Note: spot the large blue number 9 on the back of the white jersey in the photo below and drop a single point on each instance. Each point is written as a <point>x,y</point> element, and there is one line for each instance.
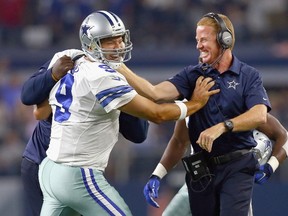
<point>64,98</point>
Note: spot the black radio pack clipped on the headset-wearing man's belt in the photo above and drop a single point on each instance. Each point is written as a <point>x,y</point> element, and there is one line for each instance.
<point>196,166</point>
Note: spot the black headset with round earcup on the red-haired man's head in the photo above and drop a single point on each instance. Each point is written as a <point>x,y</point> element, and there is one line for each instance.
<point>224,37</point>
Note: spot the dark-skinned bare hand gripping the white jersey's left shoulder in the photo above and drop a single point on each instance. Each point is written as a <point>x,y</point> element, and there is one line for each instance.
<point>62,66</point>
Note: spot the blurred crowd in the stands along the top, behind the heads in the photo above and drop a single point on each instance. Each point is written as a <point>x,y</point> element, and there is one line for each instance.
<point>55,22</point>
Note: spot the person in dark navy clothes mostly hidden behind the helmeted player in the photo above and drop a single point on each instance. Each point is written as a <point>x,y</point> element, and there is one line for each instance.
<point>34,91</point>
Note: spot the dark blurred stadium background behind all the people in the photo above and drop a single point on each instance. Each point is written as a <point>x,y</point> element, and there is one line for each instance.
<point>163,34</point>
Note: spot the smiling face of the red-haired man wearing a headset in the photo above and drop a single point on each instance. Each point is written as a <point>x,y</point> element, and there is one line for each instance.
<point>207,44</point>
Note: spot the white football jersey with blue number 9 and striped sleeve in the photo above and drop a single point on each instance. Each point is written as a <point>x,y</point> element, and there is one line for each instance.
<point>85,124</point>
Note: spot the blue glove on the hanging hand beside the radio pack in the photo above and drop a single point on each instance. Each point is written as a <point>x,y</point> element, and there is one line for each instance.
<point>151,190</point>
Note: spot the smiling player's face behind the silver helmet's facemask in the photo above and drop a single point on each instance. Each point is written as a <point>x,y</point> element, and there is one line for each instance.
<point>112,44</point>
